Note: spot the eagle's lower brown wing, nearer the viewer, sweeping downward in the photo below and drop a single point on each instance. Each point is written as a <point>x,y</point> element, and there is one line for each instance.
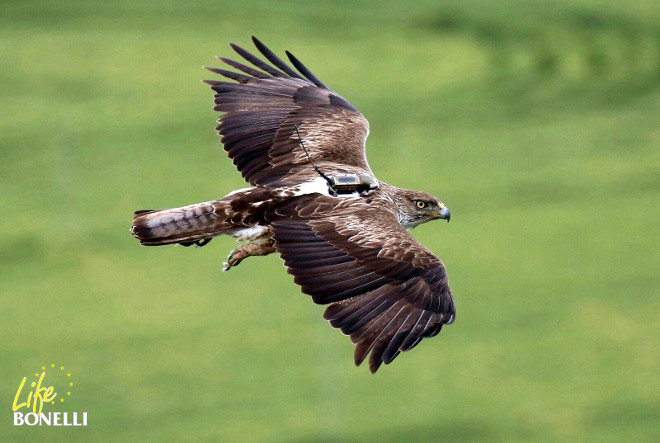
<point>386,290</point>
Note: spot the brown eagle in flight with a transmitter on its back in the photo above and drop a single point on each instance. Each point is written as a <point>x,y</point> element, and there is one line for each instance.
<point>313,198</point>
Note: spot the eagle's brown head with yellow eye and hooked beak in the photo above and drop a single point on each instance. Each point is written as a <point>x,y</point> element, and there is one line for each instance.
<point>417,207</point>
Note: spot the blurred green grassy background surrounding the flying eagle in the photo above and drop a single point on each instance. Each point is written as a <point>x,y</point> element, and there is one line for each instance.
<point>535,121</point>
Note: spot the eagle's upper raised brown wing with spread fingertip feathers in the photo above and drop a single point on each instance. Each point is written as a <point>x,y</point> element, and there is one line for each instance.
<point>263,110</point>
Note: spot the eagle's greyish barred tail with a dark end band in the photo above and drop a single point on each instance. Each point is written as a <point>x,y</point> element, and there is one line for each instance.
<point>193,224</point>
